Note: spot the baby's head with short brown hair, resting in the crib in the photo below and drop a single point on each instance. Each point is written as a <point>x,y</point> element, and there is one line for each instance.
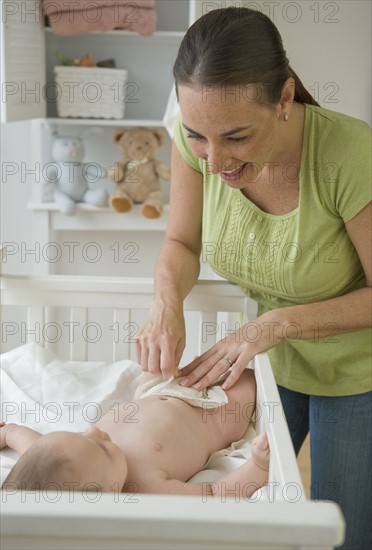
<point>68,461</point>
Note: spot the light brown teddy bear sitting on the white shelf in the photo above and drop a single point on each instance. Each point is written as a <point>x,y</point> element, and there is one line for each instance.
<point>137,177</point>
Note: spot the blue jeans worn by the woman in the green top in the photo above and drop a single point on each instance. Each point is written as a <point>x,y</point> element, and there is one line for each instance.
<point>340,447</point>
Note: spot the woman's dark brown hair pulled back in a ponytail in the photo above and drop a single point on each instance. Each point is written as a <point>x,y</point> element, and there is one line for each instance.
<point>237,47</point>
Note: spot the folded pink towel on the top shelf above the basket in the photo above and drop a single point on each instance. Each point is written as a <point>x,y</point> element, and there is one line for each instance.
<point>67,17</point>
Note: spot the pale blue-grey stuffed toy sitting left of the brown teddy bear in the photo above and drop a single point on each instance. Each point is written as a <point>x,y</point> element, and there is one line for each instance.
<point>68,178</point>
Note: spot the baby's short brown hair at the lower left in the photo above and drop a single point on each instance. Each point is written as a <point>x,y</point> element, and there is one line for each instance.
<point>39,470</point>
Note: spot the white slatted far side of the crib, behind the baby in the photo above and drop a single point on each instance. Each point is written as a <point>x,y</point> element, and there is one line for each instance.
<point>211,299</point>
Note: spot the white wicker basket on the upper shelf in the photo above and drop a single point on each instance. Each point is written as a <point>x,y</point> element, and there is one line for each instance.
<point>90,92</point>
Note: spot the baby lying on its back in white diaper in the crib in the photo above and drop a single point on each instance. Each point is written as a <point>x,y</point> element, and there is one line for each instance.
<point>153,444</point>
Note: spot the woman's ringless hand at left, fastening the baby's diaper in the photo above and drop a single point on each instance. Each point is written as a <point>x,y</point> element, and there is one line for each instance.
<point>161,340</point>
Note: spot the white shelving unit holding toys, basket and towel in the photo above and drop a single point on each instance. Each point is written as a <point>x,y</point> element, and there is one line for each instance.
<point>28,59</point>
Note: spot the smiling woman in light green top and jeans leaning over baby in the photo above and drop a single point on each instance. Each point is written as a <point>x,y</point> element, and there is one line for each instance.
<point>277,191</point>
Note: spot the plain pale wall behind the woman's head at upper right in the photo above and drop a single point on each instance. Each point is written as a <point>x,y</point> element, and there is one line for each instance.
<point>328,44</point>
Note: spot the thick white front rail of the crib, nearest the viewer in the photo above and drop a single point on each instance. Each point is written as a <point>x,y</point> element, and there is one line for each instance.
<point>166,522</point>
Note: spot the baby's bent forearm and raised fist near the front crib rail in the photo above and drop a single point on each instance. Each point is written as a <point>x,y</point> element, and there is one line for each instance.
<point>248,478</point>
